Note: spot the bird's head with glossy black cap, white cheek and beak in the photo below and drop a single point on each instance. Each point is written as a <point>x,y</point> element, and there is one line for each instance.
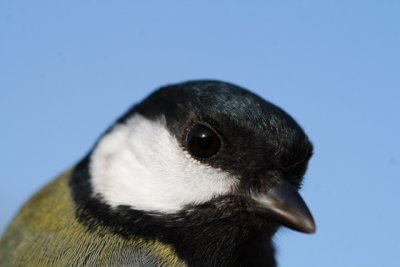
<point>206,149</point>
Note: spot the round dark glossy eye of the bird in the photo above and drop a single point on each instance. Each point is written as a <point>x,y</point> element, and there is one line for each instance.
<point>202,141</point>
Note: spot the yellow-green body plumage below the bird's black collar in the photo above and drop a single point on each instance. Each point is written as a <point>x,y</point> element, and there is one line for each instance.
<point>46,233</point>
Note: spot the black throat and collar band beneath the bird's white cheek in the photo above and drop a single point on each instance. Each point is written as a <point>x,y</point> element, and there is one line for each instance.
<point>212,234</point>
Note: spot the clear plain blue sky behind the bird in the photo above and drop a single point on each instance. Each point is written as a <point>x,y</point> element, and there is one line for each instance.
<point>68,69</point>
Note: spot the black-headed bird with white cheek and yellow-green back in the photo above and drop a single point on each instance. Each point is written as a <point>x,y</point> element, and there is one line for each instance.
<point>200,173</point>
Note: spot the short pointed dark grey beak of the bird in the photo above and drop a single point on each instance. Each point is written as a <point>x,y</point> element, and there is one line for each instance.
<point>284,204</point>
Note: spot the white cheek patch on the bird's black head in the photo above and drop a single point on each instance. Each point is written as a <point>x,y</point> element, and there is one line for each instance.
<point>140,164</point>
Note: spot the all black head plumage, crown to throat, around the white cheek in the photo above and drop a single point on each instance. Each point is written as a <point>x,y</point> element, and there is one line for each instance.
<point>229,128</point>
